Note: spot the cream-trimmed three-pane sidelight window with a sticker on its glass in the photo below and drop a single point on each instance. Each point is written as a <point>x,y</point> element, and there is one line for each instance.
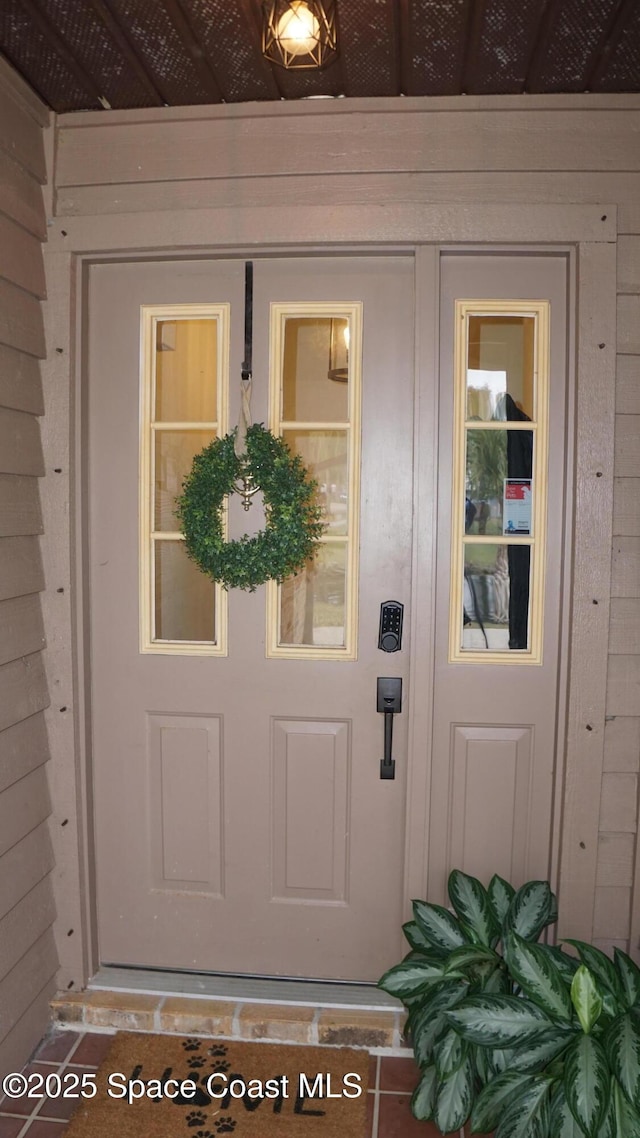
<point>499,516</point>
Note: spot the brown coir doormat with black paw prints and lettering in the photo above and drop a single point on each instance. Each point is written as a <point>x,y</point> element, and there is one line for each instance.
<point>176,1087</point>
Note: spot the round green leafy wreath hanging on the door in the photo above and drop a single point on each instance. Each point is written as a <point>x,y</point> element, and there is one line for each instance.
<point>293,516</point>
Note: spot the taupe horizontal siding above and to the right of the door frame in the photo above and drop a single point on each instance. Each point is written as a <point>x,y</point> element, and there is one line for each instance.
<point>128,180</point>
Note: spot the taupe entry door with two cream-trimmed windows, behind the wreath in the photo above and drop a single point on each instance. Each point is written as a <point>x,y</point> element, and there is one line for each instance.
<point>242,824</point>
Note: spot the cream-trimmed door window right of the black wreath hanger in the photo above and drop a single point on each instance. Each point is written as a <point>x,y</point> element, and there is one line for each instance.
<point>316,382</point>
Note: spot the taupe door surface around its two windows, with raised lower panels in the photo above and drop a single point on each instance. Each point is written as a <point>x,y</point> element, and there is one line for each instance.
<point>241,821</point>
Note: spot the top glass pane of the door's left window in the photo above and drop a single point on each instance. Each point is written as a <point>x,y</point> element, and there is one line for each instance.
<point>186,370</point>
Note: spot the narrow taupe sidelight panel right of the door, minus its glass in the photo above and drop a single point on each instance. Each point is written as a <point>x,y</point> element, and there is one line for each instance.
<point>496,727</point>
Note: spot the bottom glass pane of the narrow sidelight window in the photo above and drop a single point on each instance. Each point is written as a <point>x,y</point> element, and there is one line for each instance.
<point>496,597</point>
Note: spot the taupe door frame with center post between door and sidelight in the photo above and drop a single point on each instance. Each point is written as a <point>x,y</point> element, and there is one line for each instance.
<point>589,234</point>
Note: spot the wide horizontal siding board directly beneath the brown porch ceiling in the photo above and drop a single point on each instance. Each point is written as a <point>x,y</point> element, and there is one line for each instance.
<point>347,142</point>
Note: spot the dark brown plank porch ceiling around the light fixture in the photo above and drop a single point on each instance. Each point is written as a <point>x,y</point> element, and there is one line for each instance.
<point>85,55</point>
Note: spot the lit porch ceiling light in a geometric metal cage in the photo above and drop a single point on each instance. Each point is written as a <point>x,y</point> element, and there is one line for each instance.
<point>300,35</point>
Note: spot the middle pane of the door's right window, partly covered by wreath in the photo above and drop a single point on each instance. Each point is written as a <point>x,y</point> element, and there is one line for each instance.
<point>325,455</point>
